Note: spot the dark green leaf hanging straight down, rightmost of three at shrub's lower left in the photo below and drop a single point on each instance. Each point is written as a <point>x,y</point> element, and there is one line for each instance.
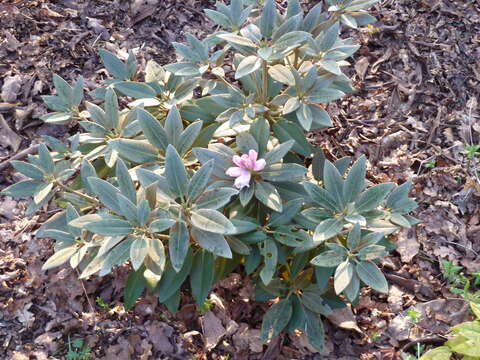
<point>201,276</point>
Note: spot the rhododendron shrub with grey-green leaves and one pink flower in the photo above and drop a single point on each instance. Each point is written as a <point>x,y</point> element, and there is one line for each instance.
<point>200,170</point>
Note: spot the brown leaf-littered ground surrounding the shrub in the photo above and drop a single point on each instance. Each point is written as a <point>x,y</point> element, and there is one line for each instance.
<point>417,76</point>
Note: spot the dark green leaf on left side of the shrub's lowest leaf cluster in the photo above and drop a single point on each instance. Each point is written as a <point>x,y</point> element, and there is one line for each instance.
<point>276,319</point>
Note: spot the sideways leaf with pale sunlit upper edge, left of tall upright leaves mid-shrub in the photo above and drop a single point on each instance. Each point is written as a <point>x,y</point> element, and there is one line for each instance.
<point>137,151</point>
